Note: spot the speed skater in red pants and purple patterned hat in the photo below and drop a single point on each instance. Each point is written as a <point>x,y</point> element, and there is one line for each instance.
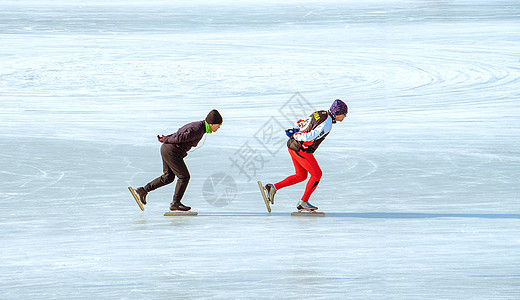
<point>303,141</point>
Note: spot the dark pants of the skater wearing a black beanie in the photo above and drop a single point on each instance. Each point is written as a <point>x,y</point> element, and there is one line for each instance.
<point>173,165</point>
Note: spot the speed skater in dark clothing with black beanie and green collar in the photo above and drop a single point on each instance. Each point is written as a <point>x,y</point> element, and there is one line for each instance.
<point>174,149</point>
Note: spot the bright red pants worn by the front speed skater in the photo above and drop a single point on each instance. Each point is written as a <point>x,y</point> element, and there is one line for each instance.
<point>304,163</point>
